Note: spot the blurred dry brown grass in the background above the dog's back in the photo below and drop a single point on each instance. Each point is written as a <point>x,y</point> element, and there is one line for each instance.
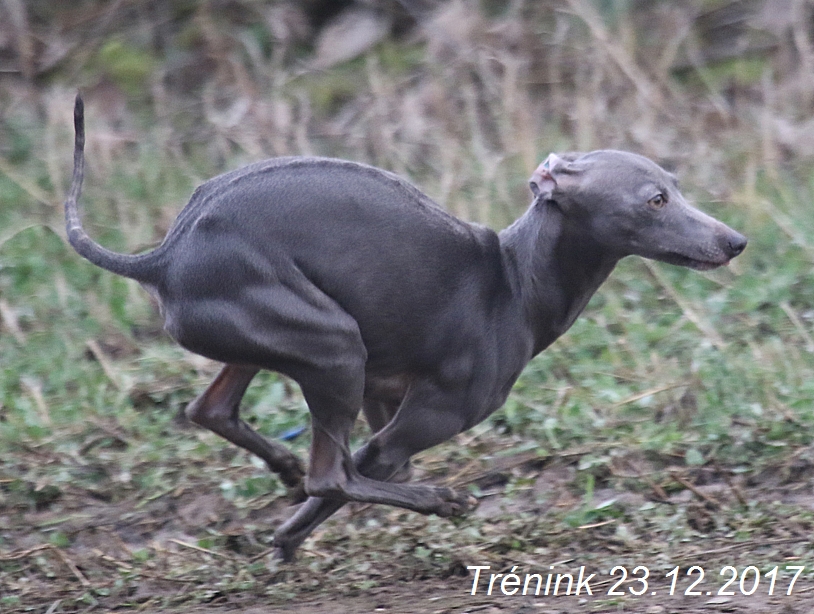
<point>464,101</point>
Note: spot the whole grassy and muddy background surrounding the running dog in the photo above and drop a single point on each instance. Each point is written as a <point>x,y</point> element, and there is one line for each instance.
<point>671,426</point>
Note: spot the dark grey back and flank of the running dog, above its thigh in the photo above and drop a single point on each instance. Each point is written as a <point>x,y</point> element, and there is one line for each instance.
<point>383,251</point>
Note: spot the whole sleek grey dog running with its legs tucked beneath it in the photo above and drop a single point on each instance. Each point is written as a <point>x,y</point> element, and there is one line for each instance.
<point>352,282</point>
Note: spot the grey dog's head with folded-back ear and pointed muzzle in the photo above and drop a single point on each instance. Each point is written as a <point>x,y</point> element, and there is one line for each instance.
<point>630,205</point>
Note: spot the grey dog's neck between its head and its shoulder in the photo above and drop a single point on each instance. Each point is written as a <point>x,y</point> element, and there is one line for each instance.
<point>555,267</point>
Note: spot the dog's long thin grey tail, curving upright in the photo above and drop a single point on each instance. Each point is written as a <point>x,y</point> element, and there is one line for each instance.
<point>141,267</point>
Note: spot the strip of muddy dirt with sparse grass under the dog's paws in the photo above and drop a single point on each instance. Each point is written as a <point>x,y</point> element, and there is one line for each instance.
<point>191,550</point>
